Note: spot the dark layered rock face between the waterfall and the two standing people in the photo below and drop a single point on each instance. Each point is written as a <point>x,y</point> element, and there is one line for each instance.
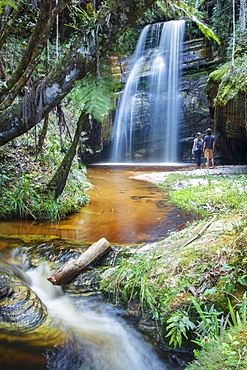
<point>199,59</point>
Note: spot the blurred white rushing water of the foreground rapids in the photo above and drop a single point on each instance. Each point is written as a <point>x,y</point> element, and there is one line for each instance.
<point>97,338</point>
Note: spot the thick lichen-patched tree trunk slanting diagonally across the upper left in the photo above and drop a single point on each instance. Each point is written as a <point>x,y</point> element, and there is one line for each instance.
<point>20,118</point>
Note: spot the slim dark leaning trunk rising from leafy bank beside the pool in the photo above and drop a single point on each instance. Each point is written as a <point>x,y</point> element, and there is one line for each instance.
<point>59,179</point>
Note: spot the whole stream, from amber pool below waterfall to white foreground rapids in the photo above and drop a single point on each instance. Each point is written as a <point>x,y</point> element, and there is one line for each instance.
<point>98,337</point>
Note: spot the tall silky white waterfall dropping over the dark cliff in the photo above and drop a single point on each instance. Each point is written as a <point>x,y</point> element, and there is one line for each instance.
<point>146,125</point>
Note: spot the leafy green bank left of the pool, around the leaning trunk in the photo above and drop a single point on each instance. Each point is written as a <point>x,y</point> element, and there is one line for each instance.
<point>24,178</point>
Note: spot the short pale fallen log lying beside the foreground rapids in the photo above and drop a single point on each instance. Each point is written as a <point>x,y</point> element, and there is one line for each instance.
<point>75,265</point>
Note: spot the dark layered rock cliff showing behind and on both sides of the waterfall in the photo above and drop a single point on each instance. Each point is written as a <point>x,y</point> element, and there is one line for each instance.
<point>199,60</point>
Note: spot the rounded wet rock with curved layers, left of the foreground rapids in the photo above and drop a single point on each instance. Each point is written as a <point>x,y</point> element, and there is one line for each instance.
<point>22,312</point>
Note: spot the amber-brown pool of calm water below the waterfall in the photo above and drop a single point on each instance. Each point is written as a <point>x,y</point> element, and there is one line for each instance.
<point>121,209</point>
